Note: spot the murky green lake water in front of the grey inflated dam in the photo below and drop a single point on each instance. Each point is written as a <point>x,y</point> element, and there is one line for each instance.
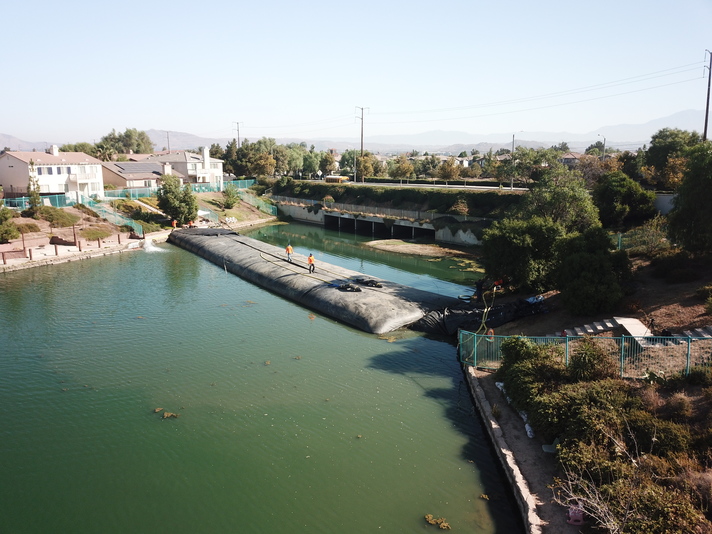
<point>289,422</point>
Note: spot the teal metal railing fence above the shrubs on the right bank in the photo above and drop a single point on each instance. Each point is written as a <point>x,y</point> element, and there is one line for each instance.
<point>637,356</point>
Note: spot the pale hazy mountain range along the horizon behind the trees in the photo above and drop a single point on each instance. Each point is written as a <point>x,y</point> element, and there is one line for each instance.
<point>622,136</point>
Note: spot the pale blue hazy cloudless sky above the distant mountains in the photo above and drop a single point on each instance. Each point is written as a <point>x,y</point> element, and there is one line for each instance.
<point>74,70</point>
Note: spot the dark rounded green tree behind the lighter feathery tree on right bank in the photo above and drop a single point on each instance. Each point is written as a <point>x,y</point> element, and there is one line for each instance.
<point>621,201</point>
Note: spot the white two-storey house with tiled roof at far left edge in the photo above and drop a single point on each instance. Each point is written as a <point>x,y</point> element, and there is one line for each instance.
<point>56,172</point>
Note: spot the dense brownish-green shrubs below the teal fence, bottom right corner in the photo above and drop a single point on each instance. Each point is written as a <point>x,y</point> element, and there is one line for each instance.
<point>635,456</point>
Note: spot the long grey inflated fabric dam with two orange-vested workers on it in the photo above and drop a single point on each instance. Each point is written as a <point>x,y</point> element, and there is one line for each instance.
<point>330,290</point>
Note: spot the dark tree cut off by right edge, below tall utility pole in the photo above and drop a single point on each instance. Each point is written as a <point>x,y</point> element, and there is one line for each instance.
<point>691,217</point>
